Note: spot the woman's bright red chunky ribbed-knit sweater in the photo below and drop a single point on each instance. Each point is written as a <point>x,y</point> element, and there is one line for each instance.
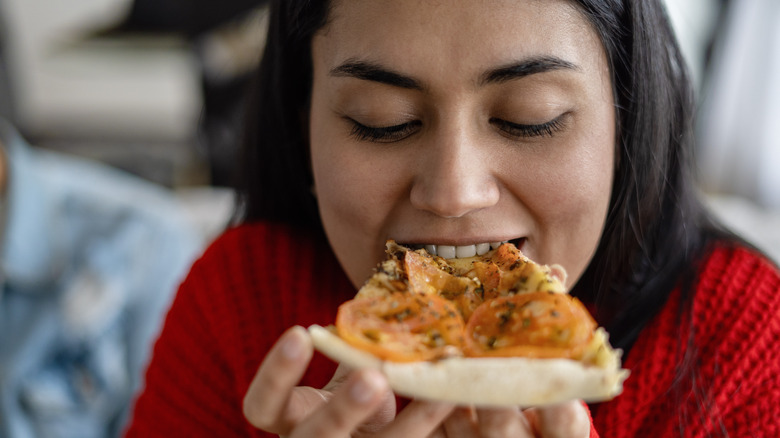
<point>256,281</point>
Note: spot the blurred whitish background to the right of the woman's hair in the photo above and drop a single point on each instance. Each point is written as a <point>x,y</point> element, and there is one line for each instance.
<point>733,51</point>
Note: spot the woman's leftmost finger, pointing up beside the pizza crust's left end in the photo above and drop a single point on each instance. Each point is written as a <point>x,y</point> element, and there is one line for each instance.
<point>267,399</point>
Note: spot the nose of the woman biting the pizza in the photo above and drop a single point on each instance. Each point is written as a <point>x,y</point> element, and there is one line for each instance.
<point>454,177</point>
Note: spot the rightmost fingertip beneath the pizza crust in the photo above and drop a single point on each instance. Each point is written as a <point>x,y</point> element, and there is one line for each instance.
<point>565,420</point>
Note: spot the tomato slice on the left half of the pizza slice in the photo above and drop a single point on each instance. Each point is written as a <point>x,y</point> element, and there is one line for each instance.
<point>402,326</point>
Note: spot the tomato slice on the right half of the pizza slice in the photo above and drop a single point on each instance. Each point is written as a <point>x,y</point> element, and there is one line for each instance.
<point>536,324</point>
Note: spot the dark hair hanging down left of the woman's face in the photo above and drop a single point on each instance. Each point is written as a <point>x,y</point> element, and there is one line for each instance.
<point>274,177</point>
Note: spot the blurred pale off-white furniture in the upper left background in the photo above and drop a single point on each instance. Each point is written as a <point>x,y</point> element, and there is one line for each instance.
<point>66,85</point>
